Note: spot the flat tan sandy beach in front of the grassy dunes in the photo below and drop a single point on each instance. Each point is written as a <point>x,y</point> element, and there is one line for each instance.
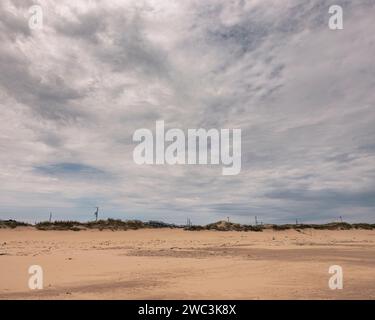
<point>177,264</point>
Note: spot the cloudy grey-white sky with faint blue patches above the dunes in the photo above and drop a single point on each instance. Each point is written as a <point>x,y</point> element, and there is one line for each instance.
<point>73,93</point>
